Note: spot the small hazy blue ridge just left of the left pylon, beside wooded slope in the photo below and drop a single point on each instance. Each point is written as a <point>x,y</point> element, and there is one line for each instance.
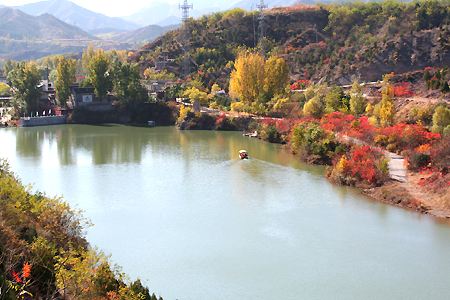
<point>143,35</point>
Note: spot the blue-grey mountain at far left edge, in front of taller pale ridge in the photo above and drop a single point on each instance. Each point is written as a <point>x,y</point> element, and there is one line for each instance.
<point>15,24</point>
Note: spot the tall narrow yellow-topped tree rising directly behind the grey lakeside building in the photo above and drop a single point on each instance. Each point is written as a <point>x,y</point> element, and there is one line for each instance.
<point>98,73</point>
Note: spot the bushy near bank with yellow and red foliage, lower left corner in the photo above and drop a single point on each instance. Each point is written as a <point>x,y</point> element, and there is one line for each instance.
<point>45,254</point>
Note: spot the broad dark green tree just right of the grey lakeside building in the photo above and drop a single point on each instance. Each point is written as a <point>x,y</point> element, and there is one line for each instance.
<point>127,83</point>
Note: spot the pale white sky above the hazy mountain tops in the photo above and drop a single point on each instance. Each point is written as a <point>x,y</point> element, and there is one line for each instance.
<point>109,8</point>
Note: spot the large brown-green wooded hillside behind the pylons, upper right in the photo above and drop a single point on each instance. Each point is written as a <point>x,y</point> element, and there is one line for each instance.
<point>328,43</point>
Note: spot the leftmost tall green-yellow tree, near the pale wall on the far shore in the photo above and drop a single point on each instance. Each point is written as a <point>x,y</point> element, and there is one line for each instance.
<point>25,78</point>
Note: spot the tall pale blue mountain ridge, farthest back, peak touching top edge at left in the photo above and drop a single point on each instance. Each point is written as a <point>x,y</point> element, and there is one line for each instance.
<point>71,13</point>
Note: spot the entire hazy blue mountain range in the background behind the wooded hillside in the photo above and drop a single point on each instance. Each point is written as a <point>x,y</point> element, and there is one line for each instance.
<point>58,26</point>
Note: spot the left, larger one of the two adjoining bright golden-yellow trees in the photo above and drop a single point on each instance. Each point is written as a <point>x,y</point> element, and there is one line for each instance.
<point>247,80</point>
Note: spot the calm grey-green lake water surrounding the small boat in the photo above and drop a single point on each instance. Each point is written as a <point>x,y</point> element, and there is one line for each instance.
<point>180,211</point>
